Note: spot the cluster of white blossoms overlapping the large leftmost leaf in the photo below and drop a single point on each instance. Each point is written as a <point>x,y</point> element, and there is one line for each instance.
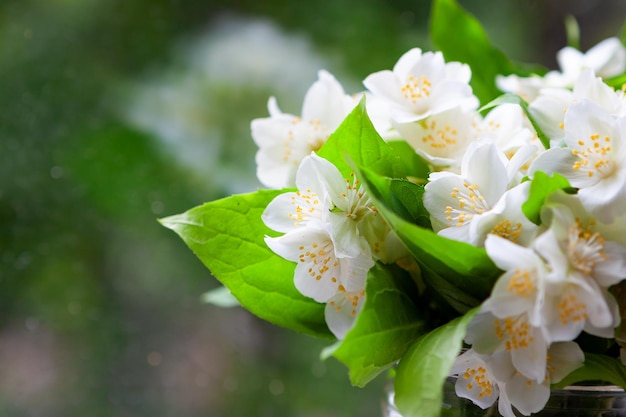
<point>334,234</point>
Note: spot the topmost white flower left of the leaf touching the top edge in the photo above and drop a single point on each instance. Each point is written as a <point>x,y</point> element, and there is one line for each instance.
<point>422,84</point>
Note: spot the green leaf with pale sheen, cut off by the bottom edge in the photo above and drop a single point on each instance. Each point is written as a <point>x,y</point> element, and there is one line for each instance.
<point>425,367</point>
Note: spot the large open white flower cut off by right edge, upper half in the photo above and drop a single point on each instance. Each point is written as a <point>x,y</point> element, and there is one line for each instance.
<point>593,160</point>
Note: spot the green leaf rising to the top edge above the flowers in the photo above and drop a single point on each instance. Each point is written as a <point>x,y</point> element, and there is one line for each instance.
<point>460,37</point>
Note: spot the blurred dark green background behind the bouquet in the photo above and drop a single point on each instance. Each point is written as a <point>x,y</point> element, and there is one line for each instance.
<point>114,113</point>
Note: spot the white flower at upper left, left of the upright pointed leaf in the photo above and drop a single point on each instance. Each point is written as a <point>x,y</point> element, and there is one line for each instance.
<point>284,139</point>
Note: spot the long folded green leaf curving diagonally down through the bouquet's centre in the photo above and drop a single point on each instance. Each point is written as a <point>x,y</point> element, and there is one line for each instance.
<point>463,274</point>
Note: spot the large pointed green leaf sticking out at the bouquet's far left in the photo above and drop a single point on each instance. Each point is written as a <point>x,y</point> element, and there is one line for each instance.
<point>227,236</point>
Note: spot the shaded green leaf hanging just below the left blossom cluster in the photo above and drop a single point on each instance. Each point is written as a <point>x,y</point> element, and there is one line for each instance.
<point>388,323</point>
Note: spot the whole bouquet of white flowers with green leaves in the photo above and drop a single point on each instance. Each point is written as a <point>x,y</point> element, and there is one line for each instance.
<point>462,216</point>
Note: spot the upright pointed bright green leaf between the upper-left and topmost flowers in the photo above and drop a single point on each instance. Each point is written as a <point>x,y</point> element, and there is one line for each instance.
<point>357,143</point>
